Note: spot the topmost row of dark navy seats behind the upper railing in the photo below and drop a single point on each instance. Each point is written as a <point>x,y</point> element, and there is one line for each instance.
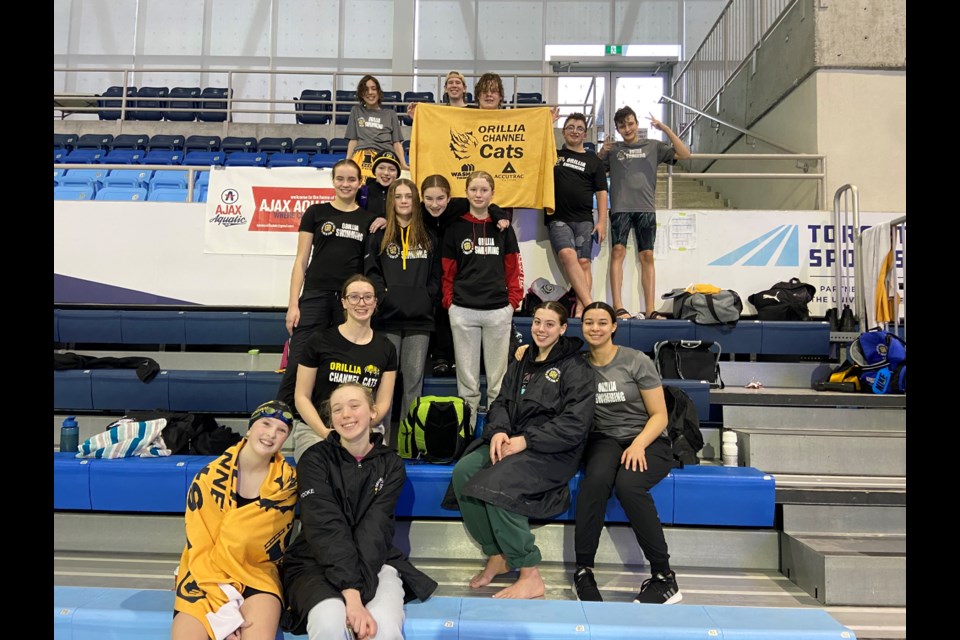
<point>313,106</point>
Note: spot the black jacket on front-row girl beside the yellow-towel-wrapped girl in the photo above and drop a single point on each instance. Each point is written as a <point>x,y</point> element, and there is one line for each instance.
<point>347,526</point>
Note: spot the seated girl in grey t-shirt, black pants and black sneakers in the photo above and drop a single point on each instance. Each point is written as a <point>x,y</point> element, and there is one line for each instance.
<point>630,449</point>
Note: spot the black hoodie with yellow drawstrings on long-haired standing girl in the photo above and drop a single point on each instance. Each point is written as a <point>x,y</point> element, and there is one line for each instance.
<point>406,293</point>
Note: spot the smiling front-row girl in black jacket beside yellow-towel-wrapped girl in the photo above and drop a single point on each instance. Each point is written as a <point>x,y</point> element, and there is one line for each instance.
<point>343,575</point>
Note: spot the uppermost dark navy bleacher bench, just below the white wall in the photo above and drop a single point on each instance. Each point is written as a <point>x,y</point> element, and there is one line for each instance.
<point>267,328</point>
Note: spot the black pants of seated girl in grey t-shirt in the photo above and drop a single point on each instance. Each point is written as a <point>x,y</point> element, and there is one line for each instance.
<point>603,472</point>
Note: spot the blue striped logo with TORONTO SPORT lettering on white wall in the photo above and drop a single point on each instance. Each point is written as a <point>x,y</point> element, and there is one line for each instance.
<point>780,247</point>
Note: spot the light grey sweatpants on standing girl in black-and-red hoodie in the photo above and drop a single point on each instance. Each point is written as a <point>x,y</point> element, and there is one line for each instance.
<point>473,330</point>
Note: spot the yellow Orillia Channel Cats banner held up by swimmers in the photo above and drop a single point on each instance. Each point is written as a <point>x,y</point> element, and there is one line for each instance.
<point>515,146</point>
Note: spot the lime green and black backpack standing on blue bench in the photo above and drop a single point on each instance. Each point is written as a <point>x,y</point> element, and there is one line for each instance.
<point>436,429</point>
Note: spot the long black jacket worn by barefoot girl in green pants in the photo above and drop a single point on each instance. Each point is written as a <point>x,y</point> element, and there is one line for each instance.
<point>554,414</point>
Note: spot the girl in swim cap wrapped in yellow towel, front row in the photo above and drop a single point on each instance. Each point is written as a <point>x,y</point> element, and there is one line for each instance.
<point>239,518</point>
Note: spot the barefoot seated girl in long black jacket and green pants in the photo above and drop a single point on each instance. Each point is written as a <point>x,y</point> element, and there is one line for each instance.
<point>520,466</point>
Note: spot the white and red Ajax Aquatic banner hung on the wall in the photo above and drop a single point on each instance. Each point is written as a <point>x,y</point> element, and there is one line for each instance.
<point>252,210</point>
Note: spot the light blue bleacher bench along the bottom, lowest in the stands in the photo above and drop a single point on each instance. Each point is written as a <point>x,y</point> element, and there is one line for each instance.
<point>94,613</point>
